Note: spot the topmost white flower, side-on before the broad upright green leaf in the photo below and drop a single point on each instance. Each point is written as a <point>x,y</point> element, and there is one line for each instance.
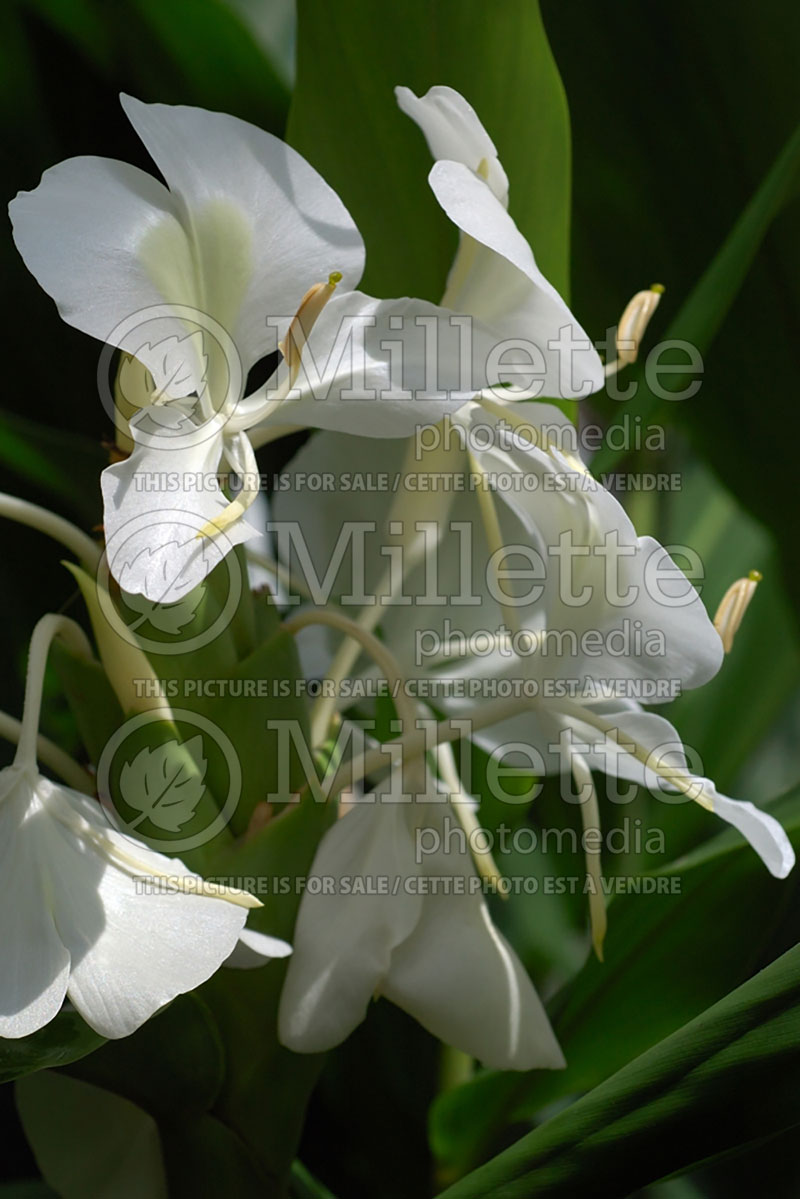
<point>495,276</point>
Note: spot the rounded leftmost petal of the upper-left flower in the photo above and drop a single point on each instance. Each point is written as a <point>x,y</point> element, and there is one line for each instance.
<point>81,234</point>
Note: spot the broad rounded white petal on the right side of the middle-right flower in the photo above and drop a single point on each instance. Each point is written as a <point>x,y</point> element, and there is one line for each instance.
<point>652,623</point>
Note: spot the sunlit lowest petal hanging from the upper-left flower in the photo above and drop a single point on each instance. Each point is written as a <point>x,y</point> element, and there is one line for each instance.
<point>158,502</point>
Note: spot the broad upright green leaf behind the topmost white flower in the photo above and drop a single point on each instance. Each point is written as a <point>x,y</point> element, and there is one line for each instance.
<point>345,120</point>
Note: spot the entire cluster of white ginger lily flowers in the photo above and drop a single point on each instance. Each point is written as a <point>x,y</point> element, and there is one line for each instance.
<point>245,258</point>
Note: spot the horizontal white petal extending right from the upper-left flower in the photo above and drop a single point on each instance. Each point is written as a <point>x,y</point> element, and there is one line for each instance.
<point>352,382</point>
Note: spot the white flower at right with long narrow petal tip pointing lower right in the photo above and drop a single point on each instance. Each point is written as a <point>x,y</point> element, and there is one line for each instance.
<point>615,618</point>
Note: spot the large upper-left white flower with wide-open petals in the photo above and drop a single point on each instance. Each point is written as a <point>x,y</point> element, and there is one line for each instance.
<point>191,280</point>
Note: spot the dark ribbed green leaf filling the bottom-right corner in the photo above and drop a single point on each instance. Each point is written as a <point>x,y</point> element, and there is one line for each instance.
<point>725,1081</point>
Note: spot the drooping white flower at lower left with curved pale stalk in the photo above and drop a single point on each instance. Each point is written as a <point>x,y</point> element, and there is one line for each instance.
<point>94,917</point>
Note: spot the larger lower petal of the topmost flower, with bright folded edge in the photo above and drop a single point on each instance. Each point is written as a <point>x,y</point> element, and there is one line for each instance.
<point>506,290</point>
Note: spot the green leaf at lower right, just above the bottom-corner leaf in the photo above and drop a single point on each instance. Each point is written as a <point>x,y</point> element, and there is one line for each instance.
<point>663,967</point>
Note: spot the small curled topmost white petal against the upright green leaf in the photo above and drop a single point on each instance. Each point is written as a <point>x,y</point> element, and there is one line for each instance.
<point>454,130</point>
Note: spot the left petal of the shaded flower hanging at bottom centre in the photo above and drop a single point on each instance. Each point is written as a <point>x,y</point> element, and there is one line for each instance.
<point>344,943</point>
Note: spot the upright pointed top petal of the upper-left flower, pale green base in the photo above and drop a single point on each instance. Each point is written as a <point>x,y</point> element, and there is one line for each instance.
<point>266,225</point>
